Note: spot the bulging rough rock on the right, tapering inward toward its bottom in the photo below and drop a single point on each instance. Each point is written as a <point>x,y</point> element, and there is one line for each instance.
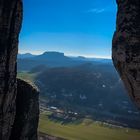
<point>126,46</point>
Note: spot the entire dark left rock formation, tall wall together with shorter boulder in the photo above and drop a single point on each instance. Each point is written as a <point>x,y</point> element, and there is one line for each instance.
<point>19,109</point>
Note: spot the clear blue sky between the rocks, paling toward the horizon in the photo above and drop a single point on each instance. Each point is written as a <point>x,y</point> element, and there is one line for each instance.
<point>75,27</point>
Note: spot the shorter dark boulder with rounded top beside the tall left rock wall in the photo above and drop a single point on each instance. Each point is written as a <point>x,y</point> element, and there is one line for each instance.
<point>27,112</point>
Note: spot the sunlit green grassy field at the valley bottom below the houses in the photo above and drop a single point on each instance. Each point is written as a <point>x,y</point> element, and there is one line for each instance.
<point>85,131</point>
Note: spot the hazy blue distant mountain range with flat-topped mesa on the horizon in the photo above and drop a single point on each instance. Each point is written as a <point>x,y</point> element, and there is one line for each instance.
<point>53,59</point>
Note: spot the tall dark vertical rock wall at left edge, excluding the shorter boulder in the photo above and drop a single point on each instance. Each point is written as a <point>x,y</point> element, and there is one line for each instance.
<point>10,24</point>
